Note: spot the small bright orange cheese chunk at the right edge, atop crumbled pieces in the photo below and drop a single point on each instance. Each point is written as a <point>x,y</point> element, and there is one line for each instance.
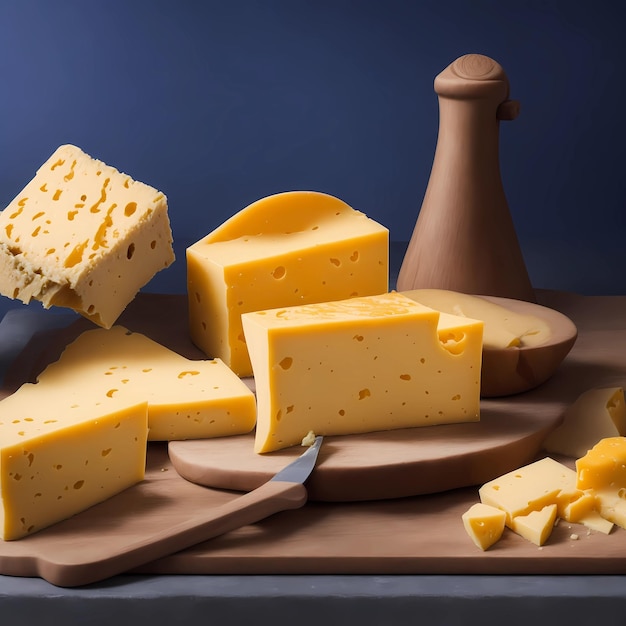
<point>603,467</point>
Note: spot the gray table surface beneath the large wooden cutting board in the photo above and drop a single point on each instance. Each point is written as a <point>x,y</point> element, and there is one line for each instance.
<point>302,599</point>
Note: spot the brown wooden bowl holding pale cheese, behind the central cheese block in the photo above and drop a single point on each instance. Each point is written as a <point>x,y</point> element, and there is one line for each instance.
<point>509,371</point>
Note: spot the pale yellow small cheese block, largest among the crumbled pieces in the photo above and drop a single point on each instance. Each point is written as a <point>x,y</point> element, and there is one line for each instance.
<point>531,488</point>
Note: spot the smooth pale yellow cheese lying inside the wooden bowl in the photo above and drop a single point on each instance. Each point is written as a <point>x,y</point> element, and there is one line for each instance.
<point>503,328</point>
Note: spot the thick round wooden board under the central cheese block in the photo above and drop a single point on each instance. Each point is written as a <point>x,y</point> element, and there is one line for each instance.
<point>389,464</point>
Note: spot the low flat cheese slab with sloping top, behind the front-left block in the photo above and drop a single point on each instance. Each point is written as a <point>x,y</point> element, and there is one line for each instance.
<point>187,399</point>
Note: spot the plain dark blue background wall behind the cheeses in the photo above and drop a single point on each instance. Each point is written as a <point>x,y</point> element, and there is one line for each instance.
<point>221,103</point>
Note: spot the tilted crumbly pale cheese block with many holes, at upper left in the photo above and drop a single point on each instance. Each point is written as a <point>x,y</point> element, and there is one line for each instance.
<point>83,235</point>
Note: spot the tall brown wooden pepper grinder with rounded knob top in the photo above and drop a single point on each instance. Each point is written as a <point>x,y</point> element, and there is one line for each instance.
<point>464,238</point>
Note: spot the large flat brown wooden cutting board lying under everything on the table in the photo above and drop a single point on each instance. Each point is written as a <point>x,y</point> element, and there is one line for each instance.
<point>417,534</point>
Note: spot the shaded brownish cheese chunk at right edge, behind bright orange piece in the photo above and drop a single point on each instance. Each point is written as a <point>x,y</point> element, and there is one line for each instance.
<point>596,414</point>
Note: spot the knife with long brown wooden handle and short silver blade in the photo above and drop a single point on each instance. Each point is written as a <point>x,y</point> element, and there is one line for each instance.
<point>286,490</point>
